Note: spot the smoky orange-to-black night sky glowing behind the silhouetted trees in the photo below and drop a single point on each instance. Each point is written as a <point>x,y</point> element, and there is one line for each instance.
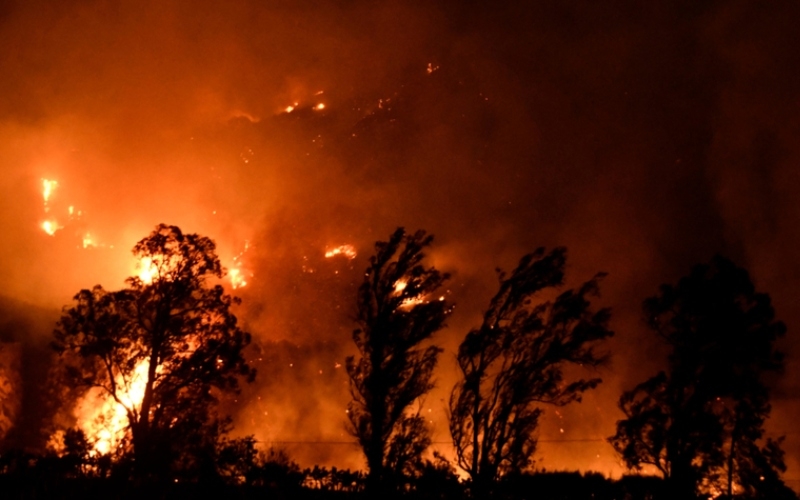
<point>643,136</point>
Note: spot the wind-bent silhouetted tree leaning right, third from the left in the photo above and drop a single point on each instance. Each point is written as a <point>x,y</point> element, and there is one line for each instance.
<point>514,364</point>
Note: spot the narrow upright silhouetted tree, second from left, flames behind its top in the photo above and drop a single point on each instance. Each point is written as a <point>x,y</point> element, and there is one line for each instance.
<point>396,313</point>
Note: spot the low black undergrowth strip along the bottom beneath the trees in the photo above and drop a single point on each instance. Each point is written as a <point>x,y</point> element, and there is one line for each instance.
<point>24,476</point>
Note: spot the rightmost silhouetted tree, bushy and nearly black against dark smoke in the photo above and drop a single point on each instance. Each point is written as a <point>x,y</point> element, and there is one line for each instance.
<point>701,422</point>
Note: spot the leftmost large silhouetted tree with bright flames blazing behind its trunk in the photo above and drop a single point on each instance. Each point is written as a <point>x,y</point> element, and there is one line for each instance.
<point>163,348</point>
